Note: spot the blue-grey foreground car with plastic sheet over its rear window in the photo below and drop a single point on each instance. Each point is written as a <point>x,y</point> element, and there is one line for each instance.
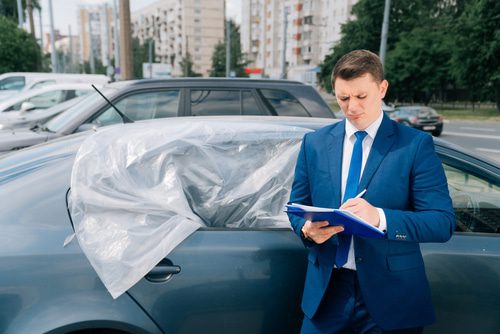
<point>251,284</point>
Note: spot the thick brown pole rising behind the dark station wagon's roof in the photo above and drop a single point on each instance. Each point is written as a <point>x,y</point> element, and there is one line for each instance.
<point>125,41</point>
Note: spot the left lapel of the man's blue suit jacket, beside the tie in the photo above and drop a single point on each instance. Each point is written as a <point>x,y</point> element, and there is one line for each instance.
<point>335,145</point>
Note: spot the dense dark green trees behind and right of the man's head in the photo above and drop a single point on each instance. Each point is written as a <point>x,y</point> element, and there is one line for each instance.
<point>433,47</point>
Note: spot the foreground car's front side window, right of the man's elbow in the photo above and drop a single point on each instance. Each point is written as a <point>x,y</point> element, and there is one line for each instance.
<point>476,201</point>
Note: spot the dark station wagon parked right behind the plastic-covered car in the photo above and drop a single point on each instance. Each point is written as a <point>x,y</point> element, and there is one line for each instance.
<point>146,99</point>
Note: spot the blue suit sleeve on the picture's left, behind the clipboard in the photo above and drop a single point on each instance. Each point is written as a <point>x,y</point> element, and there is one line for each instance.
<point>300,190</point>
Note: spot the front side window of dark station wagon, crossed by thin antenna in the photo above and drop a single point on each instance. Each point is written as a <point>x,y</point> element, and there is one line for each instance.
<point>142,106</point>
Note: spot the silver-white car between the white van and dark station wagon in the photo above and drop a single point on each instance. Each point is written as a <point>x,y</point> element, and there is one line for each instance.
<point>44,97</point>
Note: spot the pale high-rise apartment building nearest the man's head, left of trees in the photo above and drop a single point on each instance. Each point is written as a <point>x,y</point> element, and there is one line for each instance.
<point>310,28</point>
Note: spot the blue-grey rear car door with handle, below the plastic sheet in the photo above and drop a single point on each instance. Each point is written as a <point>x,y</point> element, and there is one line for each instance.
<point>228,280</point>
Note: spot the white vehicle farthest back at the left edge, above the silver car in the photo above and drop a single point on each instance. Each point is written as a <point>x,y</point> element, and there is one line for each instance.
<point>13,83</point>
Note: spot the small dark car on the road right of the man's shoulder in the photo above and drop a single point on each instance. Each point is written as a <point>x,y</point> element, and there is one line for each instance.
<point>419,117</point>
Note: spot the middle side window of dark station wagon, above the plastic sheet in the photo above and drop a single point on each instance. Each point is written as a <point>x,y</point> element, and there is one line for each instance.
<point>207,102</point>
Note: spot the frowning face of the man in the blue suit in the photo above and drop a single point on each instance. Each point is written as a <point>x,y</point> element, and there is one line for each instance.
<point>360,99</point>
